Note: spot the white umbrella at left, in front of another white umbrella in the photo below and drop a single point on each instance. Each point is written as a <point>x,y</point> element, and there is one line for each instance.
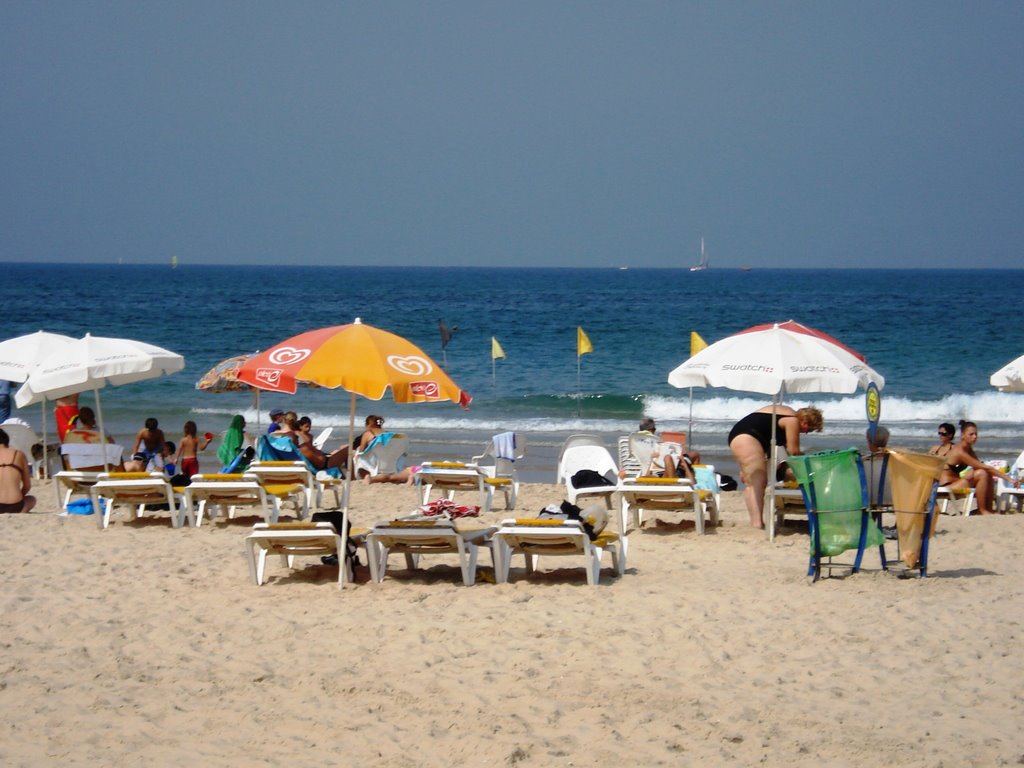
<point>92,364</point>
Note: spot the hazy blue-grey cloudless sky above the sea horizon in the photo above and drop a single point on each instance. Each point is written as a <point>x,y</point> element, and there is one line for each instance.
<point>514,134</point>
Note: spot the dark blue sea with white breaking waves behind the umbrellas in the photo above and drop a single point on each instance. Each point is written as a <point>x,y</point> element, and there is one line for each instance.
<point>936,336</point>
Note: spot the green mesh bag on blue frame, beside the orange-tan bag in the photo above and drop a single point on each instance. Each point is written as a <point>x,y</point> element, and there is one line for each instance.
<point>835,489</point>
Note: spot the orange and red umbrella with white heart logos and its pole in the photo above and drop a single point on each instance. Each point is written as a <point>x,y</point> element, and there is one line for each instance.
<point>360,359</point>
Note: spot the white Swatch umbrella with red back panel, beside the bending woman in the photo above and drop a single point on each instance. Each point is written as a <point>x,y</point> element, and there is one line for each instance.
<point>774,360</point>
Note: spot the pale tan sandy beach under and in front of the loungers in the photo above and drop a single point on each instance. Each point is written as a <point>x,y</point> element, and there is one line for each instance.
<point>147,646</point>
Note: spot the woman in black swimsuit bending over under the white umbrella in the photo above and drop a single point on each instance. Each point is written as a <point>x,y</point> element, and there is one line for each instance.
<point>750,443</point>
